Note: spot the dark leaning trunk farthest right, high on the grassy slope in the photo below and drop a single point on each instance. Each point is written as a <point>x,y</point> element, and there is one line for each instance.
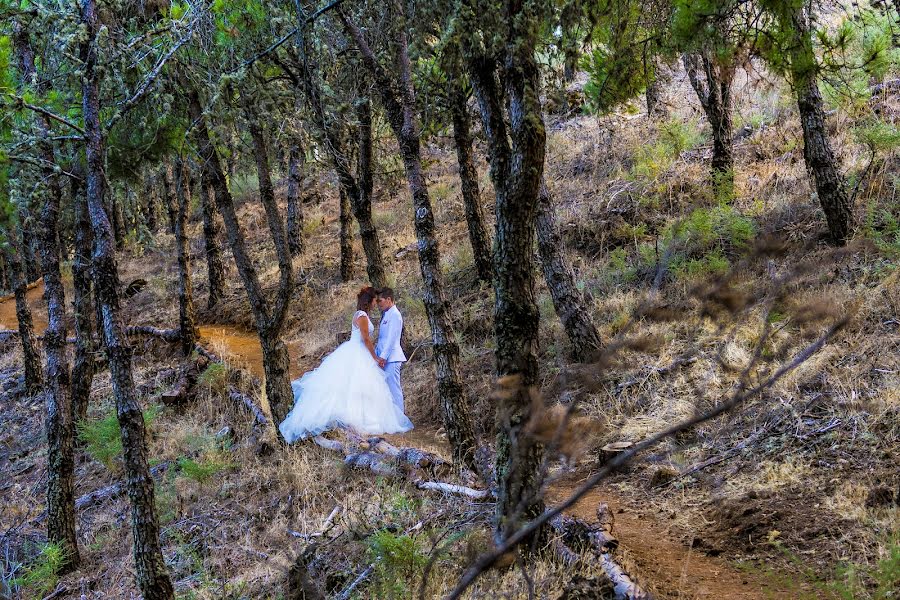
<point>817,152</point>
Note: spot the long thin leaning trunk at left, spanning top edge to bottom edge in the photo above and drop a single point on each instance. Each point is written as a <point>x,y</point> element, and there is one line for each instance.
<point>150,567</point>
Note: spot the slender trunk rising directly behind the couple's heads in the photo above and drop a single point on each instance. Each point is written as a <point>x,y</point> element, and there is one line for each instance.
<point>362,203</point>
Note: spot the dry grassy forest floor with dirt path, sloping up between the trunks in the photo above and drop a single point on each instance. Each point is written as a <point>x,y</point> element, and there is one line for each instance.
<point>795,494</point>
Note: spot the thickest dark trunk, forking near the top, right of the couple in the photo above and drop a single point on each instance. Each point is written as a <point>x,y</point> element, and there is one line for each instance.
<point>516,171</point>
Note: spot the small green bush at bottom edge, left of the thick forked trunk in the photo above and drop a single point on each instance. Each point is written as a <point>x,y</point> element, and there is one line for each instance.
<point>398,559</point>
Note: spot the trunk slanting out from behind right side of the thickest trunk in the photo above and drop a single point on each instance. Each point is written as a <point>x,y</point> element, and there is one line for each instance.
<point>569,302</point>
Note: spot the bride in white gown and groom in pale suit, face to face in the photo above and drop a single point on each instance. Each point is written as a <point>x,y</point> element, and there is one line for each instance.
<point>358,385</point>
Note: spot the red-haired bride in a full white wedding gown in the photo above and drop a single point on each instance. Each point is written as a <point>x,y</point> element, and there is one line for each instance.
<point>348,389</point>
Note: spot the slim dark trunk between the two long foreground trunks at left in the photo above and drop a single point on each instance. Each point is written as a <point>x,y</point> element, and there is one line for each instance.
<point>83,369</point>
